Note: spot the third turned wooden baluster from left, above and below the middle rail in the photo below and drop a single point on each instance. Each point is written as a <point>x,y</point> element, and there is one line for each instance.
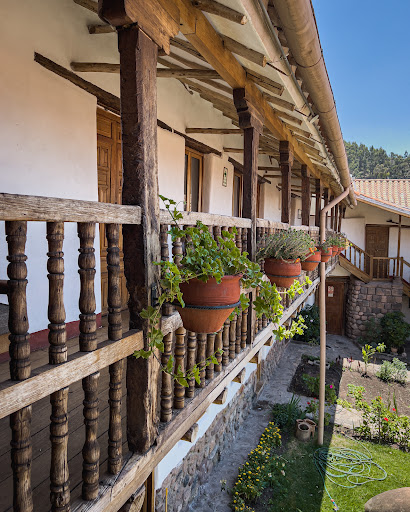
<point>88,343</point>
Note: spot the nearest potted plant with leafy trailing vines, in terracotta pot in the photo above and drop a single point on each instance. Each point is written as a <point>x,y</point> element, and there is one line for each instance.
<point>208,281</point>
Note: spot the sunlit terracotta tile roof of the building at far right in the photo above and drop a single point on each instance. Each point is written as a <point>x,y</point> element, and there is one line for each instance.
<point>395,193</point>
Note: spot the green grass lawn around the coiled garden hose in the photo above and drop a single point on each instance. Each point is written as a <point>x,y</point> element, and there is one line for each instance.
<point>305,492</point>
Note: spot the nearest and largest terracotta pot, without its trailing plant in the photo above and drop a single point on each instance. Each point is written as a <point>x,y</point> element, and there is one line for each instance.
<point>208,305</point>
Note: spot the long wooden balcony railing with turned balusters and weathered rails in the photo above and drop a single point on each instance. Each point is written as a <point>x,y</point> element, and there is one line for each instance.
<point>94,372</point>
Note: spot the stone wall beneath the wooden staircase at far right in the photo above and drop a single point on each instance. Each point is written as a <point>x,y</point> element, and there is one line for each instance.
<point>370,300</point>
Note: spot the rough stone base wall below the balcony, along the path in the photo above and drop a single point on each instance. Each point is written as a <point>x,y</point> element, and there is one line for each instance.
<point>184,480</point>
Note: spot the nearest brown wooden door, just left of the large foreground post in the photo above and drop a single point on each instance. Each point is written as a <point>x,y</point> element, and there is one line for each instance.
<point>109,163</point>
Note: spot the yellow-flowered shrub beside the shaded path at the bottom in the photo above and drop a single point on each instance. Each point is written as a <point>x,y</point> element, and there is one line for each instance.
<point>262,469</point>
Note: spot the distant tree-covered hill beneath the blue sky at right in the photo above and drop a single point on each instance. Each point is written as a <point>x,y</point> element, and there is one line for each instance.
<point>373,162</point>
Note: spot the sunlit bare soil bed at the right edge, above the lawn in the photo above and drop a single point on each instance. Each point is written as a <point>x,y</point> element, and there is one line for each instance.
<point>375,387</point>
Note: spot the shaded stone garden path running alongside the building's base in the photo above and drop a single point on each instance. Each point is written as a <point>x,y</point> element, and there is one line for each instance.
<point>210,497</point>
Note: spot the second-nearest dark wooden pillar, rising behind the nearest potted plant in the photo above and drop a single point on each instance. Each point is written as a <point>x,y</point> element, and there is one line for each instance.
<point>251,122</point>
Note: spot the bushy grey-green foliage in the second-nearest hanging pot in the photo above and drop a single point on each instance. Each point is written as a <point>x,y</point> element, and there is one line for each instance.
<point>290,244</point>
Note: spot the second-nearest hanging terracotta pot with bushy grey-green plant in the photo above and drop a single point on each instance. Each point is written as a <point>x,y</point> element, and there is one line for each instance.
<point>282,253</point>
